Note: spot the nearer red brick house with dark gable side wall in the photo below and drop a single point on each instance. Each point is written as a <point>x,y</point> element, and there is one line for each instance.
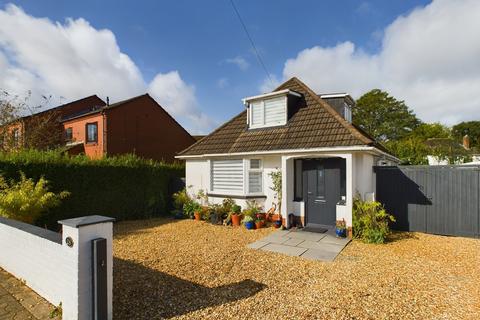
<point>138,125</point>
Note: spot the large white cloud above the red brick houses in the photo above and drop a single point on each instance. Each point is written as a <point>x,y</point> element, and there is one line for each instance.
<point>74,59</point>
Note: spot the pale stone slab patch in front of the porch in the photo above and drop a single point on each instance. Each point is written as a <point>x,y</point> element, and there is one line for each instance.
<point>309,245</point>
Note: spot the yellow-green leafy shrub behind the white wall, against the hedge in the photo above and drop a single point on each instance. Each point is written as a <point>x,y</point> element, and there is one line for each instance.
<point>25,200</point>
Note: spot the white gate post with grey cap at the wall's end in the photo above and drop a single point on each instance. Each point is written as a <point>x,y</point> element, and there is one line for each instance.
<point>80,236</point>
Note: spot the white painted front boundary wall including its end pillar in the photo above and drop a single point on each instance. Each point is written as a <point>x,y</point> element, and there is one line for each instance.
<point>55,271</point>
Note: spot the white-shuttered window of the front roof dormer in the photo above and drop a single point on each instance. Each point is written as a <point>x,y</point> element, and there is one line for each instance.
<point>268,112</point>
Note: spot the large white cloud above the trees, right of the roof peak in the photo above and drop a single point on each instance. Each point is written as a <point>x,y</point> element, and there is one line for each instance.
<point>429,58</point>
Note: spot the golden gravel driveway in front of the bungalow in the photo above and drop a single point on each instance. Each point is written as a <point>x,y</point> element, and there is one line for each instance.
<point>193,270</point>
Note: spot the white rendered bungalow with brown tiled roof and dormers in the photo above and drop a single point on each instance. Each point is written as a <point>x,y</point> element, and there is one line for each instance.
<point>325,160</point>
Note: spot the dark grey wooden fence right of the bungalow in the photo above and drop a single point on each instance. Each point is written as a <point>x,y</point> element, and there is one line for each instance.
<point>432,199</point>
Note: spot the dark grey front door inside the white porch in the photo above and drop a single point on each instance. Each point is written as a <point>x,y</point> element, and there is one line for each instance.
<point>324,181</point>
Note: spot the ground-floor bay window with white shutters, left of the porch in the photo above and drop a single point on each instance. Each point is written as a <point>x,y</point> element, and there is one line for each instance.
<point>236,176</point>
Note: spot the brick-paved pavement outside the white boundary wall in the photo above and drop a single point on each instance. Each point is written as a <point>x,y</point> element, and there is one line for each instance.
<point>17,301</point>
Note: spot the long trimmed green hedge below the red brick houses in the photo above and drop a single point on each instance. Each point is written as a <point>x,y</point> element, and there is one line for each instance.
<point>124,187</point>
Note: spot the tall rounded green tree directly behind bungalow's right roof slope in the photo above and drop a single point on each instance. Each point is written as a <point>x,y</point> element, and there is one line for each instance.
<point>383,116</point>
